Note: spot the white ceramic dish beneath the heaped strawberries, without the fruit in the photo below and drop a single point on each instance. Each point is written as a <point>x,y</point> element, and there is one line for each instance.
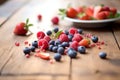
<point>92,23</point>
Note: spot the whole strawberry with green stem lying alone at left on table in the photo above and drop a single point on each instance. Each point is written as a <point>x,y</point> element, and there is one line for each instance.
<point>22,28</point>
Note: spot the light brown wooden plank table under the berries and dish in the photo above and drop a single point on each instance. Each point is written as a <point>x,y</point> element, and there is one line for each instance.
<point>14,65</point>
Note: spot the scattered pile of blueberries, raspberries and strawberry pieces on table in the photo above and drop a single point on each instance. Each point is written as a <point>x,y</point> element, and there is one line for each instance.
<point>62,42</point>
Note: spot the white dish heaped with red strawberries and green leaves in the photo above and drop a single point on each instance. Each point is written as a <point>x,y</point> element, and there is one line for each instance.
<point>91,16</point>
